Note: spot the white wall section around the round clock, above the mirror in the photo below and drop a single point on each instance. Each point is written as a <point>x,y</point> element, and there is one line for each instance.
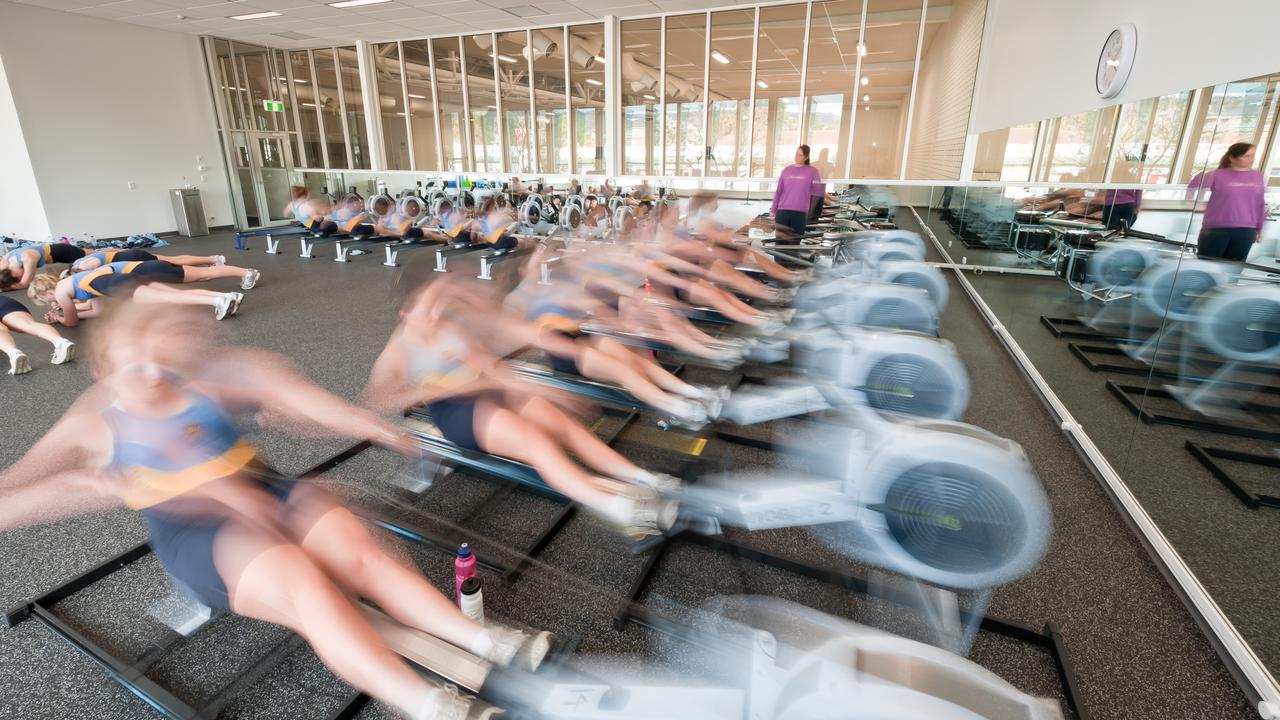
<point>1039,57</point>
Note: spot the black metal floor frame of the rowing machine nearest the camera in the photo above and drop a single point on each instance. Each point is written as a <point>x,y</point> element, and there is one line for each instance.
<point>131,675</point>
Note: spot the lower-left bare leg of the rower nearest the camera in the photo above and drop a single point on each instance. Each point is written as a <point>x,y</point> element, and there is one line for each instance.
<point>273,580</point>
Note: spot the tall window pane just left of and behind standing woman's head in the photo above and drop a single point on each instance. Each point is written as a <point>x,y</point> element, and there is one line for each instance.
<point>776,130</point>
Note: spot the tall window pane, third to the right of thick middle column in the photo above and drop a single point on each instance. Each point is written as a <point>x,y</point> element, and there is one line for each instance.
<point>730,112</point>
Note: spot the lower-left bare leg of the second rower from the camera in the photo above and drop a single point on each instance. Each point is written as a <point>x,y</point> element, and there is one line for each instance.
<point>506,434</point>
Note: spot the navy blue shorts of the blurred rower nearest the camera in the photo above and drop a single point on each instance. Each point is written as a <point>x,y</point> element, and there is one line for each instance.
<point>185,546</point>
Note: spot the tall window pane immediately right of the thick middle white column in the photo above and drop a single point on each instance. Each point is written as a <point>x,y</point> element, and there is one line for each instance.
<point>642,67</point>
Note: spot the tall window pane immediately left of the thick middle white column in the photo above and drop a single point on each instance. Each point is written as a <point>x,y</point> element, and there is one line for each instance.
<point>587,97</point>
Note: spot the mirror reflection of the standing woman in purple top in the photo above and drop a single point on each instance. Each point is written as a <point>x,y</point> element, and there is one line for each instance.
<point>1237,207</point>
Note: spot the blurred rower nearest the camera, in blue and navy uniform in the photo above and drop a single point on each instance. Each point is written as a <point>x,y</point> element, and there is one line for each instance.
<point>159,434</point>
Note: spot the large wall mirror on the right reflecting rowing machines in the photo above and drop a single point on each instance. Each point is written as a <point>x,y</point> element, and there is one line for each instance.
<point>1151,306</point>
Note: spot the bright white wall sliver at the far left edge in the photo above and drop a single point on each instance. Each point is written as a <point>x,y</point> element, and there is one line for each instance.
<point>22,216</point>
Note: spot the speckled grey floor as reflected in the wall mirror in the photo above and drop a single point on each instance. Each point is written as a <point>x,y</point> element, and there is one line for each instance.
<point>1228,546</point>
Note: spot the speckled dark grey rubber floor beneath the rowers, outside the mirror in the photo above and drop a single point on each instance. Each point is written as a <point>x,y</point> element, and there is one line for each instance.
<point>1136,651</point>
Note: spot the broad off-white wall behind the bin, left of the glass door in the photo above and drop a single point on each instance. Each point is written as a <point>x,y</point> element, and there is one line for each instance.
<point>103,104</point>
